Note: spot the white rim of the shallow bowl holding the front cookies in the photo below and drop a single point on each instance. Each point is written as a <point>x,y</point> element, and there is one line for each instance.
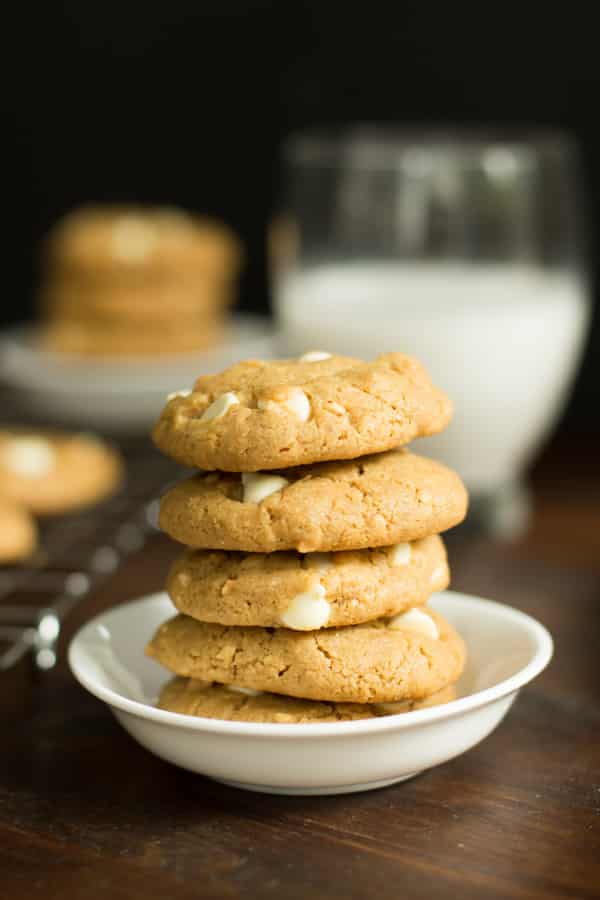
<point>540,659</point>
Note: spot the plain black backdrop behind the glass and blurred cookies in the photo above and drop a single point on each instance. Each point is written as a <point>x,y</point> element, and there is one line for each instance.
<point>186,103</point>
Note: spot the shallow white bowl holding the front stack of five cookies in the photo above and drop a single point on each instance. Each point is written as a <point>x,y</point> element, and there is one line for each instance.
<point>506,649</point>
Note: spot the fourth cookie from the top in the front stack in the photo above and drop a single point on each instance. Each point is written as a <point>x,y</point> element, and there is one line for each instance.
<point>407,657</point>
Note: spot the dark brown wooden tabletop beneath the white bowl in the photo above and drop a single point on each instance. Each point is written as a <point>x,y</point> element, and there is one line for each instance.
<point>86,813</point>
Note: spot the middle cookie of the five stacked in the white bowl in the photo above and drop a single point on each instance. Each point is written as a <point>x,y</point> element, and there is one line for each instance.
<point>303,593</point>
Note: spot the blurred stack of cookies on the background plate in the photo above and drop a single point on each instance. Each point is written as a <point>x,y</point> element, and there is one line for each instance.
<point>136,281</point>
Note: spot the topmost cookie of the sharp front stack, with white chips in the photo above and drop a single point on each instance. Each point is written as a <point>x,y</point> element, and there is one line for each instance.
<point>273,415</point>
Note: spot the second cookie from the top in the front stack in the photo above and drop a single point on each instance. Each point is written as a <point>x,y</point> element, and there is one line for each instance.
<point>376,501</point>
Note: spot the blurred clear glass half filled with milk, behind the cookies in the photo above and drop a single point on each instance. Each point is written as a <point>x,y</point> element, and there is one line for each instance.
<point>462,250</point>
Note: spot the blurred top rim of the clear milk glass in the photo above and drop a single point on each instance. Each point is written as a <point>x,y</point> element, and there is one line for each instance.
<point>382,145</point>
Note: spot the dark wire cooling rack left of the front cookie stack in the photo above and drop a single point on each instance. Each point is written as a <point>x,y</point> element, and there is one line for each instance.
<point>77,553</point>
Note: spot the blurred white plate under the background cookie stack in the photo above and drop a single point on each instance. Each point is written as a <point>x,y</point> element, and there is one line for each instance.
<point>120,393</point>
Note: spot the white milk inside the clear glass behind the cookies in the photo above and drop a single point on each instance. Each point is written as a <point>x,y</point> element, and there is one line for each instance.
<point>502,340</point>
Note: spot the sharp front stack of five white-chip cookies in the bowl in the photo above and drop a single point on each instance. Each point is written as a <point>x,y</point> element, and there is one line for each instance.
<point>313,543</point>
